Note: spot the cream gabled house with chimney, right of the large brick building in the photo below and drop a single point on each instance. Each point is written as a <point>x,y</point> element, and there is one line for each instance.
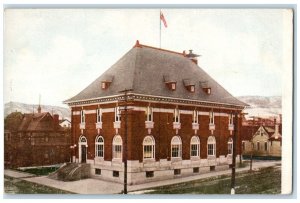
<point>262,141</point>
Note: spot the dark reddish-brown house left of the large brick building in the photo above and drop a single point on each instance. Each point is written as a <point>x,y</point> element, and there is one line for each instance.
<point>34,139</point>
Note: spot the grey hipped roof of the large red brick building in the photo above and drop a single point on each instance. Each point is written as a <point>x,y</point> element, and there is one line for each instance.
<point>144,69</point>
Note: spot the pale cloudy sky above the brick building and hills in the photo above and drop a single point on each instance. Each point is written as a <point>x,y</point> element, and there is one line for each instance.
<point>56,53</point>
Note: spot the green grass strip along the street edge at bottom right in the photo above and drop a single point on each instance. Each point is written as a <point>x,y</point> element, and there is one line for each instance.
<point>263,181</point>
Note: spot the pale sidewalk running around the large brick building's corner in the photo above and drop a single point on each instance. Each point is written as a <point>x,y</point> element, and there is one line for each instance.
<point>96,186</point>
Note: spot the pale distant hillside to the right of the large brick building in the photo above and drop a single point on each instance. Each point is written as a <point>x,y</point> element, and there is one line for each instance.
<point>262,106</point>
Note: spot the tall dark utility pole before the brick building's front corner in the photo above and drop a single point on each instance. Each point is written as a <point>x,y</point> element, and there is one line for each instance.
<point>125,141</point>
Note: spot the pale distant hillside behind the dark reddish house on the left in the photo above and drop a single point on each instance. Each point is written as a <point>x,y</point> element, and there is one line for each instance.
<point>28,108</point>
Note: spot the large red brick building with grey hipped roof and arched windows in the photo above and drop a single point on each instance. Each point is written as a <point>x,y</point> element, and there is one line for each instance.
<point>178,120</point>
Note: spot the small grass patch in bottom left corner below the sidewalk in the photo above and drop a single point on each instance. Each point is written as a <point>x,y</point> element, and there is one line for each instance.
<point>18,186</point>
